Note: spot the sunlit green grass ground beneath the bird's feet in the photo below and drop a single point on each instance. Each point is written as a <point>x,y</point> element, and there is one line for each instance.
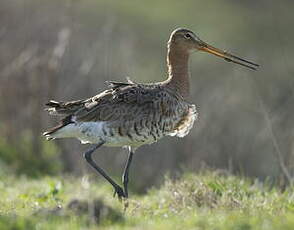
<point>209,200</point>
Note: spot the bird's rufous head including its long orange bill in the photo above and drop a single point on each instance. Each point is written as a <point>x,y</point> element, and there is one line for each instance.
<point>185,40</point>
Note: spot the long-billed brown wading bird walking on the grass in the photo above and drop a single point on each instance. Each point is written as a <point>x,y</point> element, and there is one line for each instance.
<point>130,114</point>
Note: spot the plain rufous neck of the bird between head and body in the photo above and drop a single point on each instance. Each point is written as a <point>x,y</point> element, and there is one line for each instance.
<point>177,63</point>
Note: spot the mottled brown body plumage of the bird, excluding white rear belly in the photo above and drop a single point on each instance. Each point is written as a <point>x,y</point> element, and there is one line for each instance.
<point>134,111</point>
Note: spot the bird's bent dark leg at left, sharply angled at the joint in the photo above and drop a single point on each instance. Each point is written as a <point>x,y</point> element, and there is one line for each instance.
<point>88,156</point>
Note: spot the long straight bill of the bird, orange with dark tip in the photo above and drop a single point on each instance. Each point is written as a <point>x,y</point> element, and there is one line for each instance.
<point>227,56</point>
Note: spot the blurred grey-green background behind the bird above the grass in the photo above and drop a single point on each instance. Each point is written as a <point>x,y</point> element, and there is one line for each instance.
<point>67,49</point>
